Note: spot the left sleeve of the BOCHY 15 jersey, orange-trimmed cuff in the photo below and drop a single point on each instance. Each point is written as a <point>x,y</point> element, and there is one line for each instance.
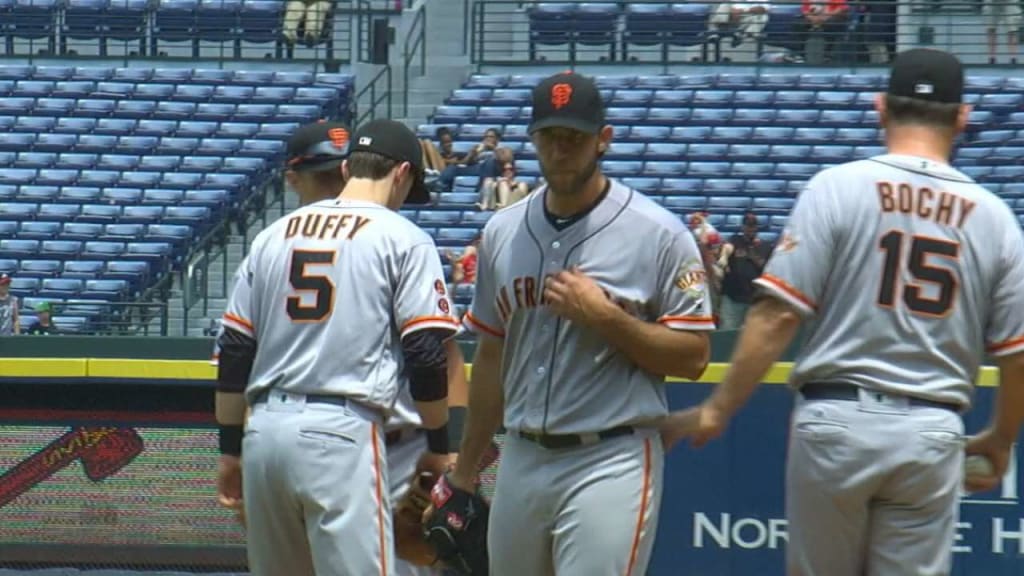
<point>799,266</point>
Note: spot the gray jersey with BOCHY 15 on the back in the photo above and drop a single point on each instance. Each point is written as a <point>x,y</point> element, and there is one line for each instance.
<point>910,271</point>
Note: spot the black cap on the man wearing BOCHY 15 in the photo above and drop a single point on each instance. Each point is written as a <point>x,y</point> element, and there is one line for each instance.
<point>926,74</point>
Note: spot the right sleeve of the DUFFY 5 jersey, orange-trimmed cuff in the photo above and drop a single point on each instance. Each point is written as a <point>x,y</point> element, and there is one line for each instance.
<point>421,299</point>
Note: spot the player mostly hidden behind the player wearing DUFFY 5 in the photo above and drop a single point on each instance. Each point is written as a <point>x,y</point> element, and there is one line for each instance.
<point>314,173</point>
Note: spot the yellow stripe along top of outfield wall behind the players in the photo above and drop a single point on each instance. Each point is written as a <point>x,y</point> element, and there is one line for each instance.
<point>113,369</point>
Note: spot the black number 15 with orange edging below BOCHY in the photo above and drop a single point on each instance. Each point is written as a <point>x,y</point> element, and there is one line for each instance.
<point>943,277</point>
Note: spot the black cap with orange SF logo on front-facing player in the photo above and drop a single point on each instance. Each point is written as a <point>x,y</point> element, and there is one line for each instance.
<point>568,101</point>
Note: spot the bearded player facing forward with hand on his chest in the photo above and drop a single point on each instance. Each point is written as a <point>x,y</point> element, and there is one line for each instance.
<point>580,318</point>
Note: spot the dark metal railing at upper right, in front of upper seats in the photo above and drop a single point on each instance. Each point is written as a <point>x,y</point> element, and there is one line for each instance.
<point>510,32</point>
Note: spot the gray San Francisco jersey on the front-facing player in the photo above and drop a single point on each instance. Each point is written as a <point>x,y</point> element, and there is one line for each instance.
<point>560,378</point>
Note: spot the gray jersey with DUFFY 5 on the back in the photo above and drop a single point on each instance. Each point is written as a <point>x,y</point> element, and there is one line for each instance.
<point>329,292</point>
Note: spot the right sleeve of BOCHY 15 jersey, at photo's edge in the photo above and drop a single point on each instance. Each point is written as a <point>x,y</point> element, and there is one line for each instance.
<point>1005,327</point>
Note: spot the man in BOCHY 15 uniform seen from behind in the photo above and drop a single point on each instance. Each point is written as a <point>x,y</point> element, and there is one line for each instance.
<point>908,273</point>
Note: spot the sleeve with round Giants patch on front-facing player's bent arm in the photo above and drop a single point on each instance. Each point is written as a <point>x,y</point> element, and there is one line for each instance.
<point>685,299</point>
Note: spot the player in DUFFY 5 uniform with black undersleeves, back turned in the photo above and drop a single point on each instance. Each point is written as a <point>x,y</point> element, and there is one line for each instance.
<point>336,304</point>
